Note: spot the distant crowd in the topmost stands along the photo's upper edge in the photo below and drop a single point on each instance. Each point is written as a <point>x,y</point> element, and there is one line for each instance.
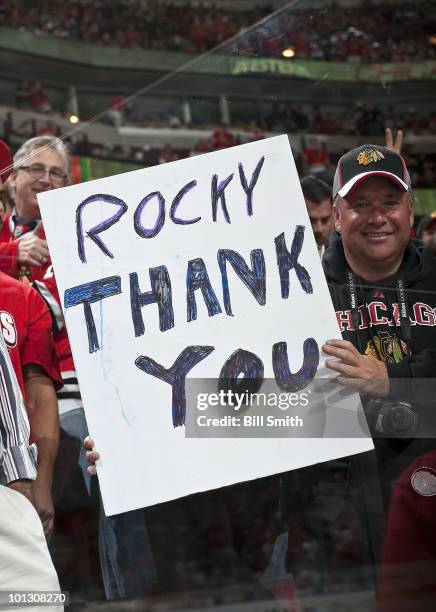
<point>371,33</point>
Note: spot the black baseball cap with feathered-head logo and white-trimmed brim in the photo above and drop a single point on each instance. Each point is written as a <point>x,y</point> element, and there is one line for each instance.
<point>369,160</point>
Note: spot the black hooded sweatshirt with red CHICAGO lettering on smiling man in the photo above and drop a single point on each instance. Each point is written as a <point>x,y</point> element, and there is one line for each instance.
<point>410,355</point>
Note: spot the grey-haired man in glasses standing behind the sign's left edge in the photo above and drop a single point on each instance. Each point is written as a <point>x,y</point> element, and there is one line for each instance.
<point>41,164</point>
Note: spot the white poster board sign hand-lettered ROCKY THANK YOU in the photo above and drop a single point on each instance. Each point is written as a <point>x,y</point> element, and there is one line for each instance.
<point>191,269</point>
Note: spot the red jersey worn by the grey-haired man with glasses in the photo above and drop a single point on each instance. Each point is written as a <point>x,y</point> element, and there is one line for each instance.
<point>43,280</point>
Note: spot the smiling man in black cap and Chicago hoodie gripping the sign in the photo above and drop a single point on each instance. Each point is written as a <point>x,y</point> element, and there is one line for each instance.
<point>383,288</point>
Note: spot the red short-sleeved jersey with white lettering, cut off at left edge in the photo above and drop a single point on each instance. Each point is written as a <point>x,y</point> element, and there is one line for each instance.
<point>26,325</point>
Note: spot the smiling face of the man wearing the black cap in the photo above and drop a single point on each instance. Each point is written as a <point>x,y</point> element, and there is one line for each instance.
<point>375,221</point>
